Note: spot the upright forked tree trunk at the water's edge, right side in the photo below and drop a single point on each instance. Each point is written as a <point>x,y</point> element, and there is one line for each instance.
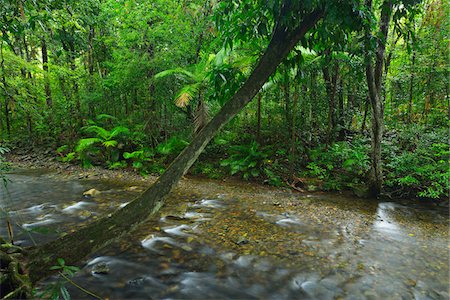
<point>374,77</point>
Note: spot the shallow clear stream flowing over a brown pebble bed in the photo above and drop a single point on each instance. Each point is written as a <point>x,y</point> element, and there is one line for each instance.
<point>216,240</point>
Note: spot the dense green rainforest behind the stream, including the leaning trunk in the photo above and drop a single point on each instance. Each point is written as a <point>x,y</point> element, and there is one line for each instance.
<point>318,95</point>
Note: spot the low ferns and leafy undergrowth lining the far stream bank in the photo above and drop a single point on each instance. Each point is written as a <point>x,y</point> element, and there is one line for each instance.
<point>415,159</point>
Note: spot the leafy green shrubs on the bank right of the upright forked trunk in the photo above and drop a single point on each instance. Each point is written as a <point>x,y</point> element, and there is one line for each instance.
<point>418,163</point>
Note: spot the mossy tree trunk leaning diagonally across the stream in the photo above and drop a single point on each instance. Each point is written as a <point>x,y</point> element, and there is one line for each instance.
<point>75,246</point>
